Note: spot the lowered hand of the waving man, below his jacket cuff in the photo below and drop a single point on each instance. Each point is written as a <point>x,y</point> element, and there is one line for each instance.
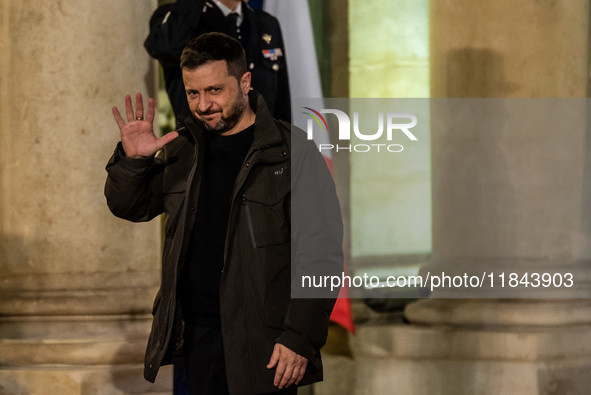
<point>290,366</point>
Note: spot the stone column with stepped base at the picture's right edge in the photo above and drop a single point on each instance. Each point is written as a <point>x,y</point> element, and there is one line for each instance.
<point>506,199</point>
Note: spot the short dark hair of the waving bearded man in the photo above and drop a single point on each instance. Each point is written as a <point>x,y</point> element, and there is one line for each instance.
<point>211,47</point>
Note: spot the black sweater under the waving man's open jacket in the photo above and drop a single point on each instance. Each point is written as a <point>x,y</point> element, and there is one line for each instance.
<point>200,278</point>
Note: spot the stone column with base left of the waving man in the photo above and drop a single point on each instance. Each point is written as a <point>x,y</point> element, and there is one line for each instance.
<point>76,283</point>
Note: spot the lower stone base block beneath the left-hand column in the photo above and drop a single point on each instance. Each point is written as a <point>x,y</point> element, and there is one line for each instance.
<point>77,355</point>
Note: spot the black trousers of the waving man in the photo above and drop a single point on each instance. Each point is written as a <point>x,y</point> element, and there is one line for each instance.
<point>204,367</point>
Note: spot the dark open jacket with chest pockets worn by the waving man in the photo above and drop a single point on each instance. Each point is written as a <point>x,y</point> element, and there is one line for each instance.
<point>263,250</point>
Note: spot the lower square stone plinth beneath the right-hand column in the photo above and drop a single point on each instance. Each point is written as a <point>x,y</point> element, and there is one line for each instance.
<point>412,359</point>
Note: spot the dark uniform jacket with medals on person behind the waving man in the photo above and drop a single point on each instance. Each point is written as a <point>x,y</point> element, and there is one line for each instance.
<point>173,25</point>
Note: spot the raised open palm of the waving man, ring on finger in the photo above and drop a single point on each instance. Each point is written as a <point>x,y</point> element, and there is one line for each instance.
<point>137,135</point>
